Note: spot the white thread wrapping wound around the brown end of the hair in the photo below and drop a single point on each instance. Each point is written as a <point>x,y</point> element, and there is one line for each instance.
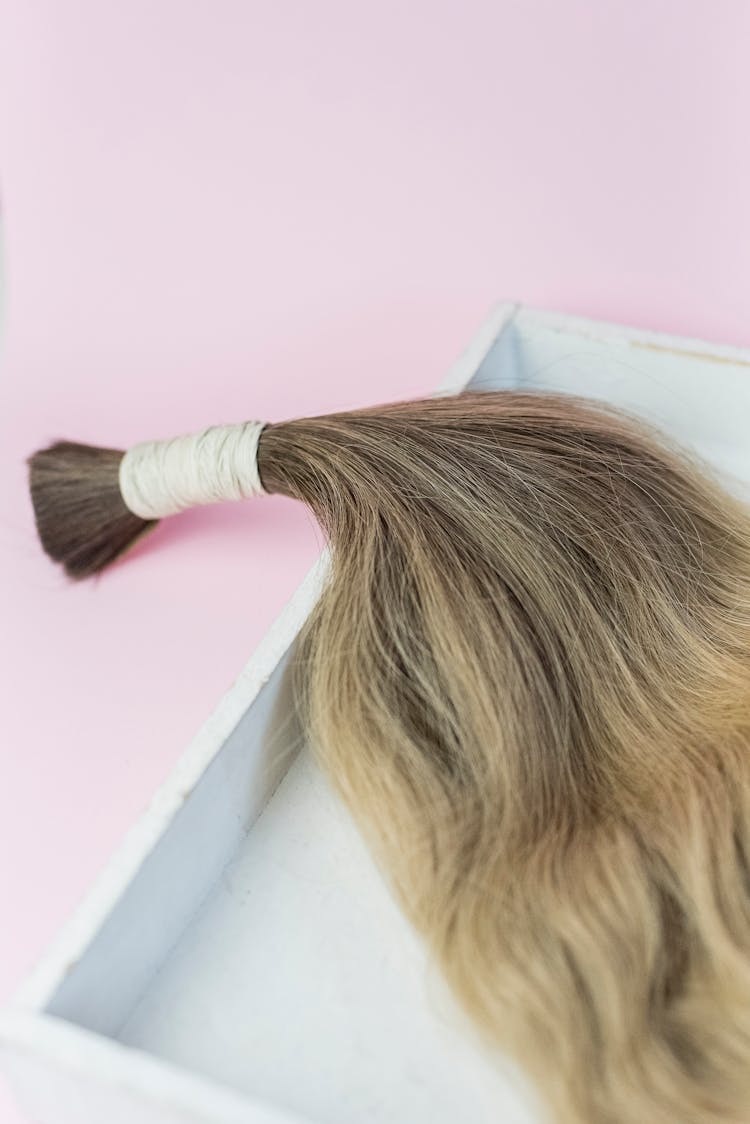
<point>160,478</point>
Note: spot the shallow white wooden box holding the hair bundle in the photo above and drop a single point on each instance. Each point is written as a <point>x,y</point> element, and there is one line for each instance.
<point>240,959</point>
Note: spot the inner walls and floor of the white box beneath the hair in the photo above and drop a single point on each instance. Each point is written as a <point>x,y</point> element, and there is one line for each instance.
<point>258,945</point>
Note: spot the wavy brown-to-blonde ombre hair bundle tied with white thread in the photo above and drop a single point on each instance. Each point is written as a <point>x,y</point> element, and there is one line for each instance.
<point>529,677</point>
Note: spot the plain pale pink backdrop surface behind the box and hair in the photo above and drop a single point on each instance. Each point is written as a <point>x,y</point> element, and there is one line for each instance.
<point>222,210</point>
